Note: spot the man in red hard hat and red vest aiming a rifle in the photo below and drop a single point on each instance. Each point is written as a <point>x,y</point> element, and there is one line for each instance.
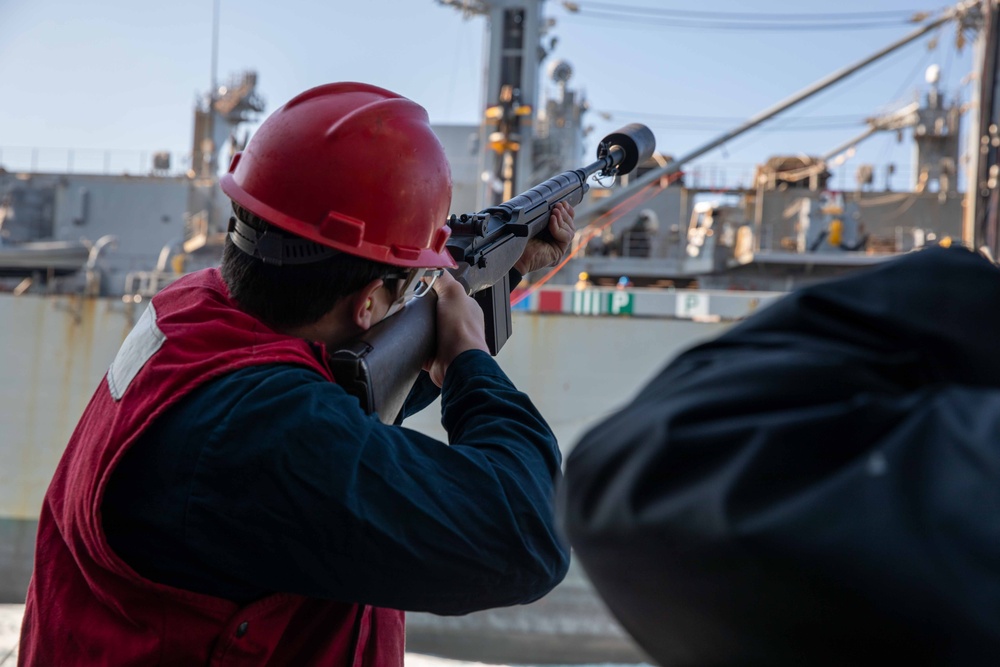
<point>222,500</point>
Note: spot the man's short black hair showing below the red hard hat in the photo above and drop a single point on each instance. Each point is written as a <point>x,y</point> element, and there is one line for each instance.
<point>292,295</point>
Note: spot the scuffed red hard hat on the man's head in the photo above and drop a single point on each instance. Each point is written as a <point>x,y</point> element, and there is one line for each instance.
<point>352,167</point>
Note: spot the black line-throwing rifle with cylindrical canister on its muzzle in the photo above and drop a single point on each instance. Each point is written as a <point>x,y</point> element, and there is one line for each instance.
<point>381,366</point>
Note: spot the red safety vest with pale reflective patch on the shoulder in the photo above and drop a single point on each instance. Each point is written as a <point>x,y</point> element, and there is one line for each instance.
<point>85,606</point>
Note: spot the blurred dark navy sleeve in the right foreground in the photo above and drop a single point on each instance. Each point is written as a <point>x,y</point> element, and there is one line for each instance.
<point>819,485</point>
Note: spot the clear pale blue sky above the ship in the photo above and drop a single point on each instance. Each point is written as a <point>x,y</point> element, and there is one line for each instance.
<point>123,75</point>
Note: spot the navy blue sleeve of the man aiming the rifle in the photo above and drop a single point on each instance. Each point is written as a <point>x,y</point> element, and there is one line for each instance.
<point>272,479</point>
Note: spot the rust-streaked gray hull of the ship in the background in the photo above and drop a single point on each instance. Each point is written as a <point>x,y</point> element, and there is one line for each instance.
<point>577,367</point>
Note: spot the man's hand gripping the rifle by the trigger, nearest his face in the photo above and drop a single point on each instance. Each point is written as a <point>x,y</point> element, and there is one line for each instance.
<point>460,326</point>
